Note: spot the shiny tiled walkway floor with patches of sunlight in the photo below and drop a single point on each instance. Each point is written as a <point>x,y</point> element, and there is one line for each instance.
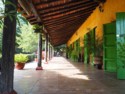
<point>63,77</point>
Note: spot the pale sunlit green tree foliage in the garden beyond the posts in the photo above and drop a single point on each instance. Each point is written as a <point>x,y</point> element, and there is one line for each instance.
<point>27,40</point>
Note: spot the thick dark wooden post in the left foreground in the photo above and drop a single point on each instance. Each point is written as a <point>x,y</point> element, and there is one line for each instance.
<point>8,49</point>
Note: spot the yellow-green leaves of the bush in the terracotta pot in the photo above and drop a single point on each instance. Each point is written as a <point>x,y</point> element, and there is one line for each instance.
<point>21,58</point>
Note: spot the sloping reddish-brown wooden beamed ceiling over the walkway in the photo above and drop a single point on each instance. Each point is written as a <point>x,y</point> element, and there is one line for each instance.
<point>61,18</point>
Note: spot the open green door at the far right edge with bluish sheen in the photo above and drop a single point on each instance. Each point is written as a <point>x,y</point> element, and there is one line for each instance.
<point>120,25</point>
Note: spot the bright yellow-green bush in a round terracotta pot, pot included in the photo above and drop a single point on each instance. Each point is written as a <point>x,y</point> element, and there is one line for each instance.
<point>20,60</point>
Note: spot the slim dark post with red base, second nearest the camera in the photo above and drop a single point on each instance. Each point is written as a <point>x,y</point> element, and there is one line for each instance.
<point>39,65</point>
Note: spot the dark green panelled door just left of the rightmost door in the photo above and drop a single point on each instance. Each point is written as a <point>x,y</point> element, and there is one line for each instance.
<point>109,46</point>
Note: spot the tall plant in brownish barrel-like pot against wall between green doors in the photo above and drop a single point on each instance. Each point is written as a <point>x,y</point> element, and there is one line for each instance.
<point>98,50</point>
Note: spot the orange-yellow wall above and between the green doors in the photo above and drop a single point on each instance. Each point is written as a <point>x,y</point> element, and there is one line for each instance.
<point>98,18</point>
